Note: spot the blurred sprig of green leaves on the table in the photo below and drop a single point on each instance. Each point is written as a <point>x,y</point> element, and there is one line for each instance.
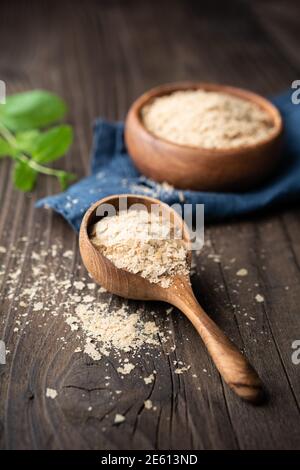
<point>27,138</point>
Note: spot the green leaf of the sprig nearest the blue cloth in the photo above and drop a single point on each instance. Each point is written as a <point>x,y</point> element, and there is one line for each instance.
<point>51,145</point>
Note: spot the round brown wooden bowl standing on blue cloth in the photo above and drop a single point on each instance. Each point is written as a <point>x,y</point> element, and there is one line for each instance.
<point>204,169</point>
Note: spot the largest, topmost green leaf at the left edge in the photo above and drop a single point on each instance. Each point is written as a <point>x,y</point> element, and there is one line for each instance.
<point>31,109</point>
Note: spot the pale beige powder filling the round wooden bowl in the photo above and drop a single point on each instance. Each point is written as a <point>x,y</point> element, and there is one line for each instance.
<point>207,119</point>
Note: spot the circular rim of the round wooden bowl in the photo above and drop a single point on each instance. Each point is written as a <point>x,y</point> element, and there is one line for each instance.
<point>168,88</point>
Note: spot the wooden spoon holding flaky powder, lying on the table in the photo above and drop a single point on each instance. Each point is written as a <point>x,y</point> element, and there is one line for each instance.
<point>232,365</point>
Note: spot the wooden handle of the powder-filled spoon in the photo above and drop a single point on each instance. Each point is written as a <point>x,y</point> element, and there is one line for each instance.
<point>230,362</point>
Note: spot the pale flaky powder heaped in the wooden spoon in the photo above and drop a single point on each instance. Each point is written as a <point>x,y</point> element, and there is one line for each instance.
<point>143,244</point>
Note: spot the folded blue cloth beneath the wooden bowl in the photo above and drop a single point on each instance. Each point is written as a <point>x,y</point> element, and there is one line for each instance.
<point>112,172</point>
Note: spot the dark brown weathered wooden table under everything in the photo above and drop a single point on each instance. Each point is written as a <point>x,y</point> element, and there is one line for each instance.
<point>99,56</point>
